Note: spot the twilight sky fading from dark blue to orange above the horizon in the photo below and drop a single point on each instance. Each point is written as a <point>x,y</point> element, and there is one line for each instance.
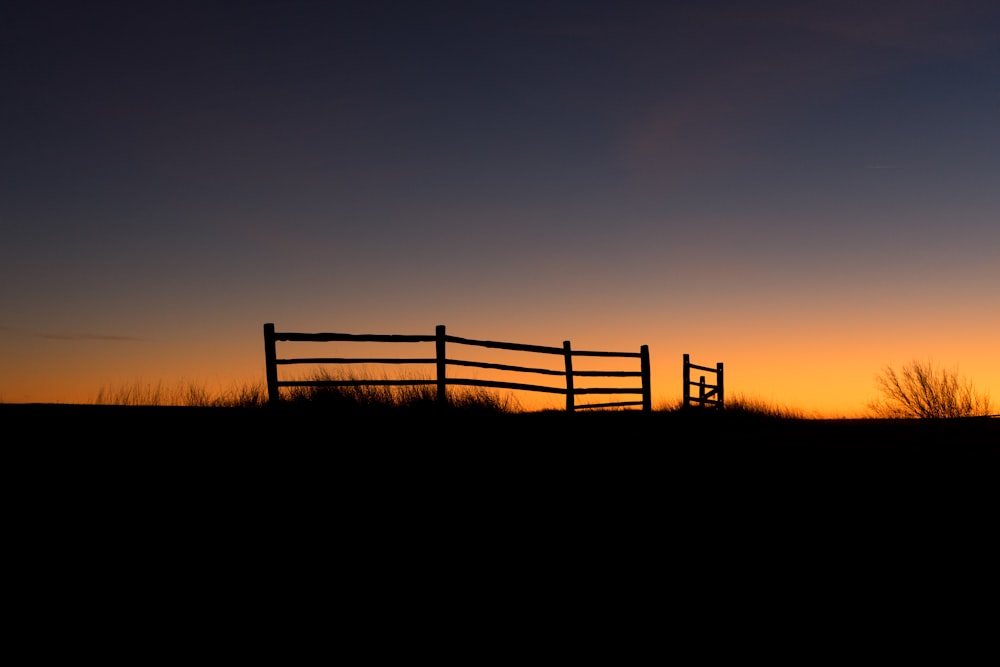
<point>807,191</point>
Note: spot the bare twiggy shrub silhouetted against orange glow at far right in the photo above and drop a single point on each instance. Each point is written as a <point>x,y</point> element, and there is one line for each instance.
<point>919,390</point>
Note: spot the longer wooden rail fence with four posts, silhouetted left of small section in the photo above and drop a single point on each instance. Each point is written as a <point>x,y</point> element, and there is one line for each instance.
<point>441,361</point>
